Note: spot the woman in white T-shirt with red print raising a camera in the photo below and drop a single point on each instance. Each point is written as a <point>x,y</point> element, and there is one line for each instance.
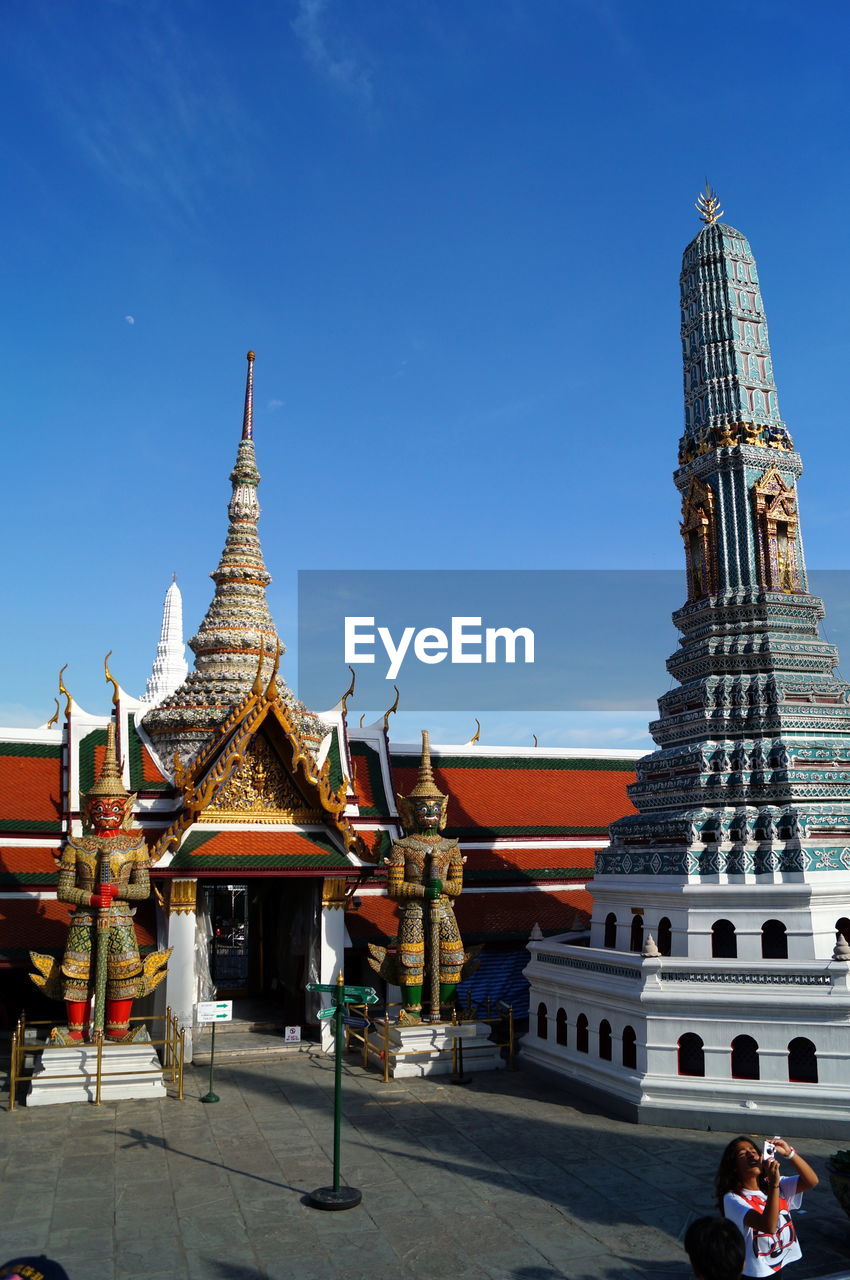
<point>753,1196</point>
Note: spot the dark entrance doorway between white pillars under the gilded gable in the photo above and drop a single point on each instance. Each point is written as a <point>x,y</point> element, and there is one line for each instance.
<point>264,939</point>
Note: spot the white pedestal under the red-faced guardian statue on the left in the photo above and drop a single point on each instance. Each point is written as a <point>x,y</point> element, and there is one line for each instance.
<point>70,1075</point>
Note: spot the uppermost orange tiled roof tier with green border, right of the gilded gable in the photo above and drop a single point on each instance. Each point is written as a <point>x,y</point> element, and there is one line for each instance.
<point>515,796</point>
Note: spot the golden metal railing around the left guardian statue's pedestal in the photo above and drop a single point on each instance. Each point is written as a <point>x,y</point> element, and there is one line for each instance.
<point>173,1058</point>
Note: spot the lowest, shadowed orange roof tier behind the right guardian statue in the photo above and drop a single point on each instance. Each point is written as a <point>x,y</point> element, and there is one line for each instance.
<point>479,916</point>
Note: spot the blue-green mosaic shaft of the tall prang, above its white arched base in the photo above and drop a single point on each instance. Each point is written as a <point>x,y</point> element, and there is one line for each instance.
<point>751,784</point>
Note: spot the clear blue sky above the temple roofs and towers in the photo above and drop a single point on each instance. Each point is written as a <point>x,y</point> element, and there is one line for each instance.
<point>453,234</point>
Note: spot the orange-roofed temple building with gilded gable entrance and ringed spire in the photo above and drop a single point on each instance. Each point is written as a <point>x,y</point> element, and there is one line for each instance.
<point>268,824</point>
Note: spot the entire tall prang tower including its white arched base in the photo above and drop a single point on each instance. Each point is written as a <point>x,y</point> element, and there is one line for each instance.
<point>728,894</point>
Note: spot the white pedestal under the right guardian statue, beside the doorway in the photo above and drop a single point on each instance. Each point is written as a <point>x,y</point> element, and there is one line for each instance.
<point>426,1049</point>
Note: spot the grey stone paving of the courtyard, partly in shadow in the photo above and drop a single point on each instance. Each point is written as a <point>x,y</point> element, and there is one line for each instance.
<point>502,1180</point>
